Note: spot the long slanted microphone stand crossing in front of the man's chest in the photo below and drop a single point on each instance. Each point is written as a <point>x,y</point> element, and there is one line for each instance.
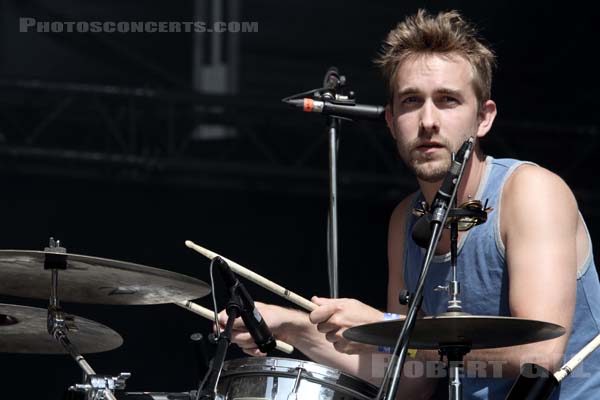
<point>389,386</point>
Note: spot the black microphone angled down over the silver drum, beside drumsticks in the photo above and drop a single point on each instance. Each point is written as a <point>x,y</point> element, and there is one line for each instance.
<point>255,323</point>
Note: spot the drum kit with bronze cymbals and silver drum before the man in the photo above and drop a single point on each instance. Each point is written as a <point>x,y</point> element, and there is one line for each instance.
<point>59,276</point>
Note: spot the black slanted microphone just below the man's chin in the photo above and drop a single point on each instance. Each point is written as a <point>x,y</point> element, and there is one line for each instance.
<point>442,199</point>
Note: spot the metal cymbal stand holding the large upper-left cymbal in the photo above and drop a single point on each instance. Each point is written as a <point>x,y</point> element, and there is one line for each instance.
<point>95,387</point>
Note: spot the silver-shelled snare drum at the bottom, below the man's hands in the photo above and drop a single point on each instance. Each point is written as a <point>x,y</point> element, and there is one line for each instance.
<point>287,379</point>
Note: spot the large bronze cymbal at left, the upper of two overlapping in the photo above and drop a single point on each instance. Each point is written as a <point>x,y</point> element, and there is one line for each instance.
<point>95,280</point>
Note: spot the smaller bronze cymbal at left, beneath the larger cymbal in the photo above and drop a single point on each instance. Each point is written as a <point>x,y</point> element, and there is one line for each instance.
<point>23,330</point>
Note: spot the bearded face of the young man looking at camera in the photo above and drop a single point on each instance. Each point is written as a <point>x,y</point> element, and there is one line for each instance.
<point>434,111</point>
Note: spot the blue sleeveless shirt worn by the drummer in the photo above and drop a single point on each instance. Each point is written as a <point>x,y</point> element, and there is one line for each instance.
<point>482,272</point>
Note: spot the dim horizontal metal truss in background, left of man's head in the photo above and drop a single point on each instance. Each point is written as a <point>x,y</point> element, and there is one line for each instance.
<point>148,135</point>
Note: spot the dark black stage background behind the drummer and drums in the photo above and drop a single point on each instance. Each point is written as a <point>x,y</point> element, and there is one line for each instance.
<point>97,149</point>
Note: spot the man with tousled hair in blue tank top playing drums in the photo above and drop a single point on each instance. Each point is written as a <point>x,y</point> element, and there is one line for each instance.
<point>532,259</point>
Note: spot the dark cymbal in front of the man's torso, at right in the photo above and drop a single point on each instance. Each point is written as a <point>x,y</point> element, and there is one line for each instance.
<point>475,331</point>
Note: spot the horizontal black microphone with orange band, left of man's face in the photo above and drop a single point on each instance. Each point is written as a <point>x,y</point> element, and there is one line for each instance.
<point>352,111</point>
